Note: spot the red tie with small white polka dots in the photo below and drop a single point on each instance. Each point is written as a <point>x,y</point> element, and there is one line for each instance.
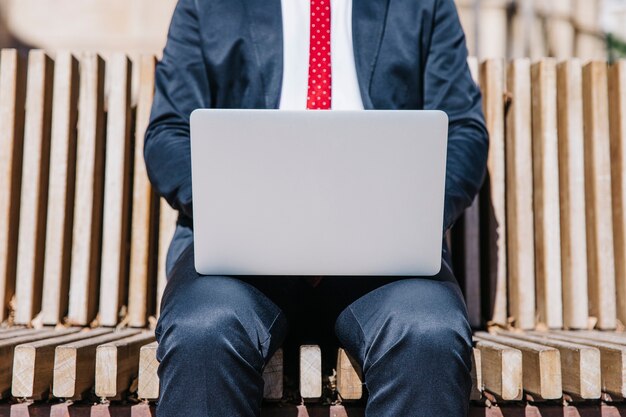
<point>319,93</point>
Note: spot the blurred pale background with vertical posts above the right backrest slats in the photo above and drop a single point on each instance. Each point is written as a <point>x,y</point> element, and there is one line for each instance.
<point>535,28</point>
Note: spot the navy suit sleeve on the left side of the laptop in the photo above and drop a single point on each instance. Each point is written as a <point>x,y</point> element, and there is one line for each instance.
<point>181,86</point>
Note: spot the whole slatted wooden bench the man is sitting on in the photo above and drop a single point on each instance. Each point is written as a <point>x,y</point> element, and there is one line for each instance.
<point>540,254</point>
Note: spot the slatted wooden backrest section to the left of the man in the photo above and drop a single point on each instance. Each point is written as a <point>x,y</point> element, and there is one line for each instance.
<point>79,224</point>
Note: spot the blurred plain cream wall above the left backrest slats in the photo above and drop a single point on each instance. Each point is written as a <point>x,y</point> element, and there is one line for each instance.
<point>132,26</point>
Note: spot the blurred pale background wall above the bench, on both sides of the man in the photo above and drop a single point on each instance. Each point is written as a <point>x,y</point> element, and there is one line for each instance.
<point>494,28</point>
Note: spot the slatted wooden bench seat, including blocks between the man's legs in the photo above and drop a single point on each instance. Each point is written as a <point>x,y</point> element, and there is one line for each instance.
<point>108,364</point>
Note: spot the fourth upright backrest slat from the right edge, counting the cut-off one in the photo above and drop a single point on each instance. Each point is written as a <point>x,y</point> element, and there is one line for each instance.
<point>546,194</point>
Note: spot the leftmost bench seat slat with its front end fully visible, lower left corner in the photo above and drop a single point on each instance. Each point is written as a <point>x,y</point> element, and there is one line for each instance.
<point>33,364</point>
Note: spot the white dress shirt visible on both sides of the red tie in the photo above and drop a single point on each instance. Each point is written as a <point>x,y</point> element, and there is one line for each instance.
<point>296,26</point>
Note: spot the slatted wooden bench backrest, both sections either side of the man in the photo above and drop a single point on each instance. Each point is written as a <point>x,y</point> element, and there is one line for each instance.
<point>83,236</point>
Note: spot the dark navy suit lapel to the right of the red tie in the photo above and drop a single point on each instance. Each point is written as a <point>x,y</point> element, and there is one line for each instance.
<point>368,24</point>
